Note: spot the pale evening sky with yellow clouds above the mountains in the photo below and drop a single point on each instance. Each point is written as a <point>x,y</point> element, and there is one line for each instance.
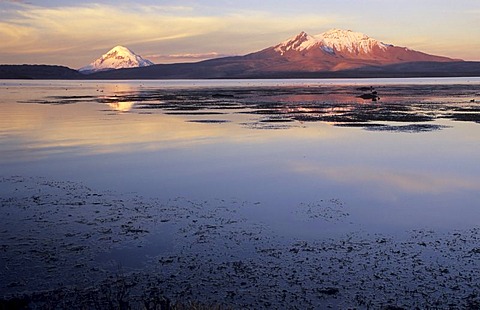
<point>75,33</point>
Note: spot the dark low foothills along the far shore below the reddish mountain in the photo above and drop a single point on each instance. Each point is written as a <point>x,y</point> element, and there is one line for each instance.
<point>232,68</point>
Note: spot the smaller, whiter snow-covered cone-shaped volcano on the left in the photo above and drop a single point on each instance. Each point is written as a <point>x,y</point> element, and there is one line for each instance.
<point>117,58</point>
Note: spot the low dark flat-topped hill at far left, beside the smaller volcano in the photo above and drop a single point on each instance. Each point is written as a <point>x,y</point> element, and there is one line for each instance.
<point>38,72</point>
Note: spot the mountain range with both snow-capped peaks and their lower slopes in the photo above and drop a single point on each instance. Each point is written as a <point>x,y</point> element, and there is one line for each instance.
<point>335,53</point>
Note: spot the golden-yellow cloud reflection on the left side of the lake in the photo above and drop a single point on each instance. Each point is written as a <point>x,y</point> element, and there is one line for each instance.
<point>37,131</point>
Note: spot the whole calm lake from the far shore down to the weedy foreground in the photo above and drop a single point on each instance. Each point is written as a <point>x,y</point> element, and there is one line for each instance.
<point>302,184</point>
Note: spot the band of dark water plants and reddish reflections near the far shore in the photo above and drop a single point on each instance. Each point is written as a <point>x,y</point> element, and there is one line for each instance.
<point>397,108</point>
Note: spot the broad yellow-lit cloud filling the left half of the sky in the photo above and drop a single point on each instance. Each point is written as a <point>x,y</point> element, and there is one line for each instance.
<point>41,29</point>
